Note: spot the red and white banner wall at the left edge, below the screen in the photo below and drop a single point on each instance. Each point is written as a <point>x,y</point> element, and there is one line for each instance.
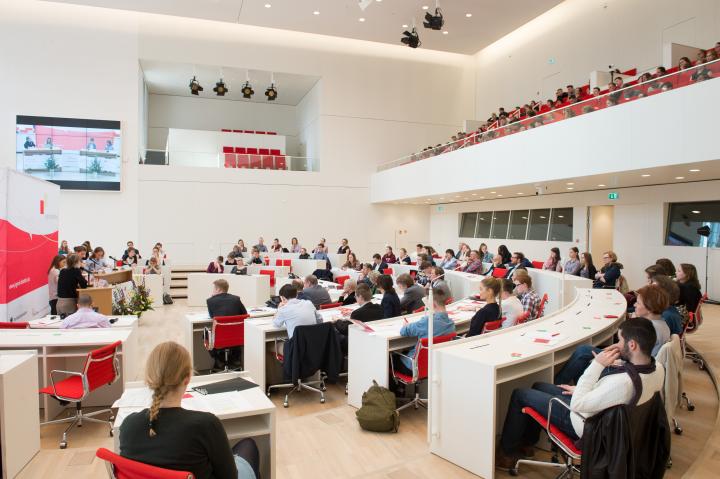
<point>28,243</point>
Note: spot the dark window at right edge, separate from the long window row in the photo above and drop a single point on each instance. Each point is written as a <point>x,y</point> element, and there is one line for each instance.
<point>685,218</point>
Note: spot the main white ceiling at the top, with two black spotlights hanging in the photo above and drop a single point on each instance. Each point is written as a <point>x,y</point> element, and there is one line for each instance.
<point>490,21</point>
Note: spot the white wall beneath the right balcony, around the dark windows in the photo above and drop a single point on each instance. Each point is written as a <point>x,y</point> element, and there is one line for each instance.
<point>639,226</point>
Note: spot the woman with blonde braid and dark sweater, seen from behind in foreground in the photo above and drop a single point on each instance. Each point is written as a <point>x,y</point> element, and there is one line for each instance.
<point>168,436</point>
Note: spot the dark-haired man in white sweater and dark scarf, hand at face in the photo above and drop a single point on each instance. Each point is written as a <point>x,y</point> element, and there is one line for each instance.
<point>597,390</point>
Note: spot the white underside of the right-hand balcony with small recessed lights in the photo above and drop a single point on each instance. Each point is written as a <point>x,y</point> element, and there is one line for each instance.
<point>707,170</point>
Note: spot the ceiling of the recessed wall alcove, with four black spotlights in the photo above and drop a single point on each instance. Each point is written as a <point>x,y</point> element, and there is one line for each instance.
<point>166,78</point>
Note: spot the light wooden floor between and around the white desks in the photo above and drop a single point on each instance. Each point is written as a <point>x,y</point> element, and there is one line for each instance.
<point>323,440</point>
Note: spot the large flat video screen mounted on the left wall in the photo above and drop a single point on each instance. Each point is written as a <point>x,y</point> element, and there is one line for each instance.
<point>74,153</point>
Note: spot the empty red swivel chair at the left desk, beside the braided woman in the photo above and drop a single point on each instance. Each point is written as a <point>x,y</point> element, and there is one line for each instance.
<point>101,368</point>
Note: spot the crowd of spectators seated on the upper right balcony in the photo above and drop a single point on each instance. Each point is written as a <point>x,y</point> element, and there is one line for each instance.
<point>521,117</point>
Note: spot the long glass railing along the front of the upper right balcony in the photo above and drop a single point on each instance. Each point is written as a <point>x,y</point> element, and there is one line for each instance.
<point>626,94</point>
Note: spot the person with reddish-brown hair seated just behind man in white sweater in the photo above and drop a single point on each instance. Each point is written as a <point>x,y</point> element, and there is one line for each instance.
<point>651,301</point>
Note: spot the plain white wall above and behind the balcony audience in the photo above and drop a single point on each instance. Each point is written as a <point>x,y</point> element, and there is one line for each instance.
<point>565,44</point>
